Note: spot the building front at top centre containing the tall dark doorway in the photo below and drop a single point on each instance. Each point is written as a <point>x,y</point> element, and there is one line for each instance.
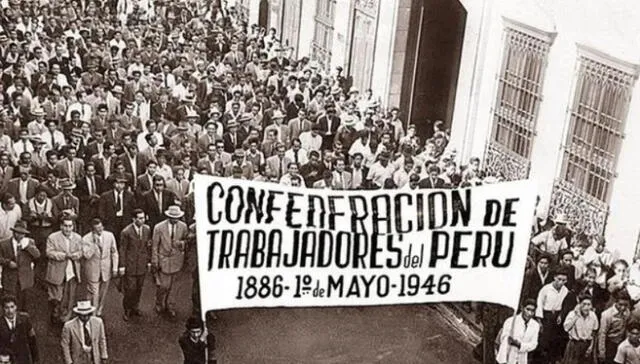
<point>383,45</point>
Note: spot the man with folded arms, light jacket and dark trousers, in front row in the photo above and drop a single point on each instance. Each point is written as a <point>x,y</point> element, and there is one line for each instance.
<point>64,251</point>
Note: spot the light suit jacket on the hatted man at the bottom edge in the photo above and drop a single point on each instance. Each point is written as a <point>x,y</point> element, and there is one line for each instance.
<point>72,342</point>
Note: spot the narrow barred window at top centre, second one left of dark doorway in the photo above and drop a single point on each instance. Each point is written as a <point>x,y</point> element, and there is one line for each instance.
<point>323,36</point>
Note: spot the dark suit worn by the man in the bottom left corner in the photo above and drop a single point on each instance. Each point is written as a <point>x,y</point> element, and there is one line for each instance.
<point>21,341</point>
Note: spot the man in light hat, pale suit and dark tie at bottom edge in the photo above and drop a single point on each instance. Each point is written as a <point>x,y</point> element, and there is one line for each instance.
<point>83,338</point>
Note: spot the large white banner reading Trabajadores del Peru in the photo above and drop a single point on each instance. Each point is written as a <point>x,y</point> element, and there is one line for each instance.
<point>267,245</point>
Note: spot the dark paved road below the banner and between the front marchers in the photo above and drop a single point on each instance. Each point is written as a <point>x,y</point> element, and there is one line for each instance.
<point>398,334</point>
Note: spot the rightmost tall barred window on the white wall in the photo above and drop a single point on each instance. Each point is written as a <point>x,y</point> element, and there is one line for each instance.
<point>596,128</point>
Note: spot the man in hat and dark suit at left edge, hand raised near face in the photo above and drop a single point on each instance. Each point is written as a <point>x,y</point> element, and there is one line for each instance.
<point>17,256</point>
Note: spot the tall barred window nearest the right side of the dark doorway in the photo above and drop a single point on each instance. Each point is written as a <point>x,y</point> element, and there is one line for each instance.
<point>519,88</point>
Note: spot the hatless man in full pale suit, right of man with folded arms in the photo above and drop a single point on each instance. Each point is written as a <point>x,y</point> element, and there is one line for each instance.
<point>100,263</point>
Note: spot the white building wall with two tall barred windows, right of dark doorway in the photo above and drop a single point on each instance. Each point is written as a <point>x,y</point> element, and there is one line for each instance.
<point>548,92</point>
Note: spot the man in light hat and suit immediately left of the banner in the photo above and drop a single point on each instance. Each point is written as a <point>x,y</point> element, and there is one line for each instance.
<point>167,256</point>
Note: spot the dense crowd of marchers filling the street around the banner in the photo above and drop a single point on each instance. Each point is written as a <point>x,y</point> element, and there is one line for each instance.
<point>108,110</point>
